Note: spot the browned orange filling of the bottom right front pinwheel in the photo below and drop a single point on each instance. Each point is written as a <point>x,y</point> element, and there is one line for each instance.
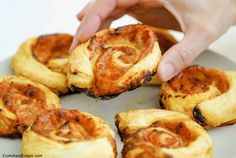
<point>159,135</point>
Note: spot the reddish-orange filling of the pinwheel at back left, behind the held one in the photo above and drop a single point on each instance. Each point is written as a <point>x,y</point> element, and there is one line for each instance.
<point>51,46</point>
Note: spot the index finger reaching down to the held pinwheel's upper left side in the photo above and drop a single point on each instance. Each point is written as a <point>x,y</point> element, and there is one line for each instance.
<point>101,12</point>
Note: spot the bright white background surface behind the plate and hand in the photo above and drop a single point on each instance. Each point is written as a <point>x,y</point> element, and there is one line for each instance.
<point>25,18</point>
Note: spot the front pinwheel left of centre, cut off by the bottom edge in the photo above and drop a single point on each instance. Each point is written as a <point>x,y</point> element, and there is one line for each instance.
<point>69,133</point>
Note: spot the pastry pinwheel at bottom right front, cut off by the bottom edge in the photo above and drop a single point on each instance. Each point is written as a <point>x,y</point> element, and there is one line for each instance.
<point>156,133</point>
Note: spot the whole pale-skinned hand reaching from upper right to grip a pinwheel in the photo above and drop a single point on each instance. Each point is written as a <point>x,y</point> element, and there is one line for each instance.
<point>201,21</point>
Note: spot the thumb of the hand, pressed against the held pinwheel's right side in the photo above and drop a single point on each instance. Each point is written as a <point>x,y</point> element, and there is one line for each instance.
<point>182,54</point>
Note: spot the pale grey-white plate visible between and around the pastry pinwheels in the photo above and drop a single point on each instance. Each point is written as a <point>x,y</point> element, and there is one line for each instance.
<point>224,138</point>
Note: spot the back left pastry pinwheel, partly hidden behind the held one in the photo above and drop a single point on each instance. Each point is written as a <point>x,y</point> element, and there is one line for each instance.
<point>44,59</point>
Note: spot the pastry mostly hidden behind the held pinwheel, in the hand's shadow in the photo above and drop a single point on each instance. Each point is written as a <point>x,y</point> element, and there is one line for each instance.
<point>165,40</point>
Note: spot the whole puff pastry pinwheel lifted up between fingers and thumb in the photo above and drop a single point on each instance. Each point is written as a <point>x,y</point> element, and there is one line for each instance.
<point>114,61</point>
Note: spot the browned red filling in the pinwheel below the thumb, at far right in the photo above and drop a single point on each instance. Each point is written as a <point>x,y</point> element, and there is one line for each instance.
<point>196,79</point>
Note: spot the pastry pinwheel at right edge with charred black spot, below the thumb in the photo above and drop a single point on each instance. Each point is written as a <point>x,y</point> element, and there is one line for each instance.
<point>208,96</point>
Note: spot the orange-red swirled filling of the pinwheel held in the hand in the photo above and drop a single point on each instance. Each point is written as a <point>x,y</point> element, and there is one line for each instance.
<point>119,50</point>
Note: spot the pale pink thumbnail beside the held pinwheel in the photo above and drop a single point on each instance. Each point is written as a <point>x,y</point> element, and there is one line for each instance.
<point>167,71</point>
